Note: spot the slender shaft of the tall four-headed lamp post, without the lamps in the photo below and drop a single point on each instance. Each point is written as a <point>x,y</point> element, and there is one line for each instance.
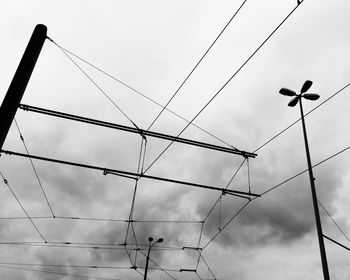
<point>314,198</point>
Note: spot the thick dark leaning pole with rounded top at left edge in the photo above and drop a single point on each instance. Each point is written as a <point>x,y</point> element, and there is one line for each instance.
<point>20,80</point>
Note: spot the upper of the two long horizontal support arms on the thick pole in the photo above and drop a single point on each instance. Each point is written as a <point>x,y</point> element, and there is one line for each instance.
<point>135,130</point>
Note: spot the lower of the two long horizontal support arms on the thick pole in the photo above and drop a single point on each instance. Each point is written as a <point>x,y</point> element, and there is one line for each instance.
<point>132,175</point>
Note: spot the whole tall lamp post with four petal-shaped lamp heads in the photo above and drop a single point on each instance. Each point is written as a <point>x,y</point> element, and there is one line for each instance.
<point>297,98</point>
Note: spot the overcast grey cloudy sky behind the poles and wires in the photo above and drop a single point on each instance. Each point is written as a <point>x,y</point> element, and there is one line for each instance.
<point>147,49</point>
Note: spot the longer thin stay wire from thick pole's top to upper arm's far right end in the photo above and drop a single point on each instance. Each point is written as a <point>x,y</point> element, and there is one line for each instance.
<point>145,96</point>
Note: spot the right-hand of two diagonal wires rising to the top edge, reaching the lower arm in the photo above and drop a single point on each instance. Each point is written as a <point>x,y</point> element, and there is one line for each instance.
<point>224,85</point>
